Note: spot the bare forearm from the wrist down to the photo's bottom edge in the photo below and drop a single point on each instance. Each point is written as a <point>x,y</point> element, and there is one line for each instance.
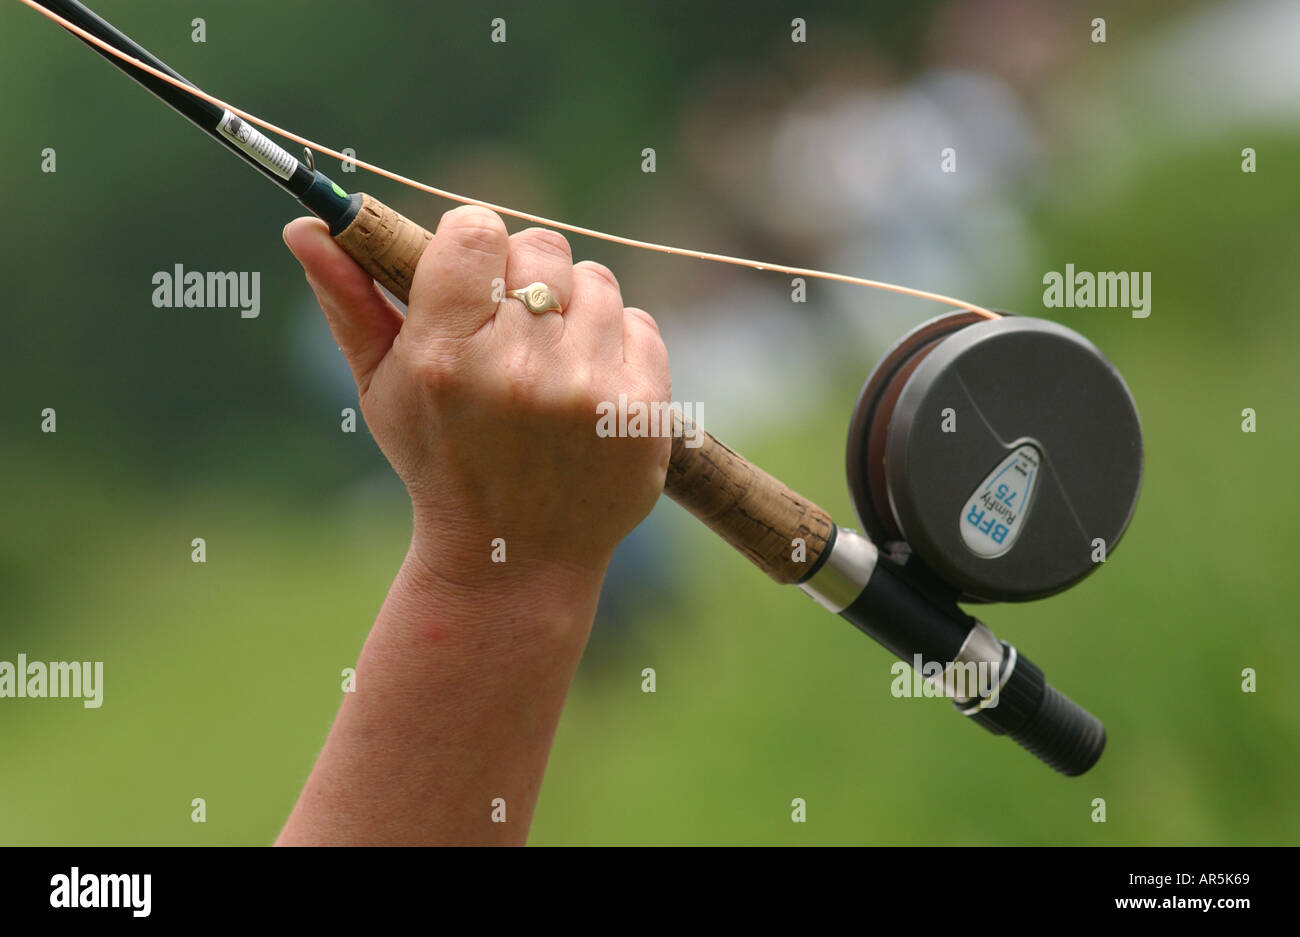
<point>458,693</point>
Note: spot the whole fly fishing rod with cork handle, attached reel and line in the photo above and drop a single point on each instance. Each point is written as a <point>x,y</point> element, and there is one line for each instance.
<point>990,457</point>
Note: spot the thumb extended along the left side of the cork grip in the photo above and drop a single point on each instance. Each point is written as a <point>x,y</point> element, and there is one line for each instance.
<point>362,319</point>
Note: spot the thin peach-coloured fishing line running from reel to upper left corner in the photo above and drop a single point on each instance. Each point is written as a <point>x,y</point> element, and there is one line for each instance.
<point>525,216</point>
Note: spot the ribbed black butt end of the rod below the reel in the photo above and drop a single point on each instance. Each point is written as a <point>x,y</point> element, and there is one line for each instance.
<point>1043,721</point>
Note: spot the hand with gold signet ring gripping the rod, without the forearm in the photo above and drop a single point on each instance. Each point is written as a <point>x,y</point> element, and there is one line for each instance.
<point>488,411</point>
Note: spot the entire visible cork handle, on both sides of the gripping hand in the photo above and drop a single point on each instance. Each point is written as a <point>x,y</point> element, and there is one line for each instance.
<point>738,501</point>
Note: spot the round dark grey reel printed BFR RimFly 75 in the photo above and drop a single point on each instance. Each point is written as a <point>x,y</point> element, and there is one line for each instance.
<point>996,453</point>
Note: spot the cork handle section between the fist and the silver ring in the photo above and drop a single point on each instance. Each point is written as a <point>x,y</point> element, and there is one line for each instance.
<point>746,506</point>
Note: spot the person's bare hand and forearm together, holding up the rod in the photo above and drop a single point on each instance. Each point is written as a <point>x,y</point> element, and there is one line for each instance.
<point>488,413</point>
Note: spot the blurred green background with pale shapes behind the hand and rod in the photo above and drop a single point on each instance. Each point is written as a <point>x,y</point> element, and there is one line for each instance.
<point>222,679</point>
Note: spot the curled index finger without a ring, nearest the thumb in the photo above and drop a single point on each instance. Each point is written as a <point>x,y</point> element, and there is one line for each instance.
<point>453,290</point>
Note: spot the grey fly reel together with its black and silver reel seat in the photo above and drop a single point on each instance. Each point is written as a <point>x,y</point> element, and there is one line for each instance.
<point>990,461</point>
